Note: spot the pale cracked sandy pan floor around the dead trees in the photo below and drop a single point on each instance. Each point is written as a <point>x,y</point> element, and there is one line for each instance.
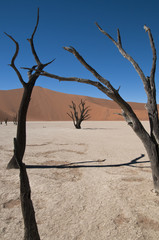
<point>102,191</point>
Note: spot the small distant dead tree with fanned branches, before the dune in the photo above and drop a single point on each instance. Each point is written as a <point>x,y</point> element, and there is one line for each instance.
<point>79,116</point>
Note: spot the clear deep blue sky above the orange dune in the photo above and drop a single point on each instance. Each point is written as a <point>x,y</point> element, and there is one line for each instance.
<point>71,23</point>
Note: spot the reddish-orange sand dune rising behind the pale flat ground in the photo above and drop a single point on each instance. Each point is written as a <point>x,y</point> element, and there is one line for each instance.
<point>48,105</point>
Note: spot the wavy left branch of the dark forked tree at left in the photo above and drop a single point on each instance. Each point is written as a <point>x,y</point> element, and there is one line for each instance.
<point>13,60</point>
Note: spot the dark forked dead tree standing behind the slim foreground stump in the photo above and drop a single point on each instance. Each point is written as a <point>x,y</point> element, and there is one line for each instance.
<point>28,87</point>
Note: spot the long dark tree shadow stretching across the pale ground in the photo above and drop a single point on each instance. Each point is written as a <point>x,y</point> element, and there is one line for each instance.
<point>88,164</point>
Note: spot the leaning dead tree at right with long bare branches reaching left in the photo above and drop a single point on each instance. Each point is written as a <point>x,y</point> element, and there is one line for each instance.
<point>149,140</point>
